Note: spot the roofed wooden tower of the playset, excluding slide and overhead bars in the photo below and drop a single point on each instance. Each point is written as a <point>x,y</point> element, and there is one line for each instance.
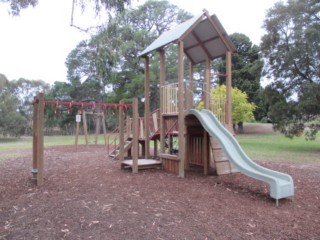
<point>199,40</point>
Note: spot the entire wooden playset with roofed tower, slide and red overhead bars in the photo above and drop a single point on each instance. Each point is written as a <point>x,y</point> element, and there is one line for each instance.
<point>187,136</point>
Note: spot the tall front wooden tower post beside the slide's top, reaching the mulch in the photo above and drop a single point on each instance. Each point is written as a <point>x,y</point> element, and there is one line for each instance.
<point>181,114</point>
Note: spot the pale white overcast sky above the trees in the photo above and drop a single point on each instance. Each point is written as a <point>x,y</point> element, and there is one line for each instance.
<point>35,44</point>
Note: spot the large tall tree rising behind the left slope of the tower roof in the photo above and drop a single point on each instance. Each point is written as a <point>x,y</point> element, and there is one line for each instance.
<point>110,58</point>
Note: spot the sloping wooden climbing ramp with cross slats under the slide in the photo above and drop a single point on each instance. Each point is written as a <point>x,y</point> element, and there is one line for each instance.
<point>221,161</point>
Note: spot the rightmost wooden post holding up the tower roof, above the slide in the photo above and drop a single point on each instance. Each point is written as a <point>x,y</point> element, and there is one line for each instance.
<point>228,113</point>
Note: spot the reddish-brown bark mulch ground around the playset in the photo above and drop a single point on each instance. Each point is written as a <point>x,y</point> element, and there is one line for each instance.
<point>86,196</point>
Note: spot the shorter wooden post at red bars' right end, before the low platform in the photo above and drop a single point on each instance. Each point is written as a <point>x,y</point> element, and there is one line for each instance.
<point>135,138</point>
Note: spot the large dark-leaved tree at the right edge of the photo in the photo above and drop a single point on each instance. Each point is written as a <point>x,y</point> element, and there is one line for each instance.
<point>291,49</point>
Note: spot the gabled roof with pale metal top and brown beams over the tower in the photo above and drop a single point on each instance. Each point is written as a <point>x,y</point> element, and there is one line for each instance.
<point>203,37</point>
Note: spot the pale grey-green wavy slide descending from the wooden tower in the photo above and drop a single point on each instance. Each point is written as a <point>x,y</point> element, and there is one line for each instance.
<point>281,184</point>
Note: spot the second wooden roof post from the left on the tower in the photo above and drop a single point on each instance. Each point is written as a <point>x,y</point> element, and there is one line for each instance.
<point>162,82</point>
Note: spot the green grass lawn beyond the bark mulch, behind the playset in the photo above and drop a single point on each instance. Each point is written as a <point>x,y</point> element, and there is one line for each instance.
<point>273,146</point>
